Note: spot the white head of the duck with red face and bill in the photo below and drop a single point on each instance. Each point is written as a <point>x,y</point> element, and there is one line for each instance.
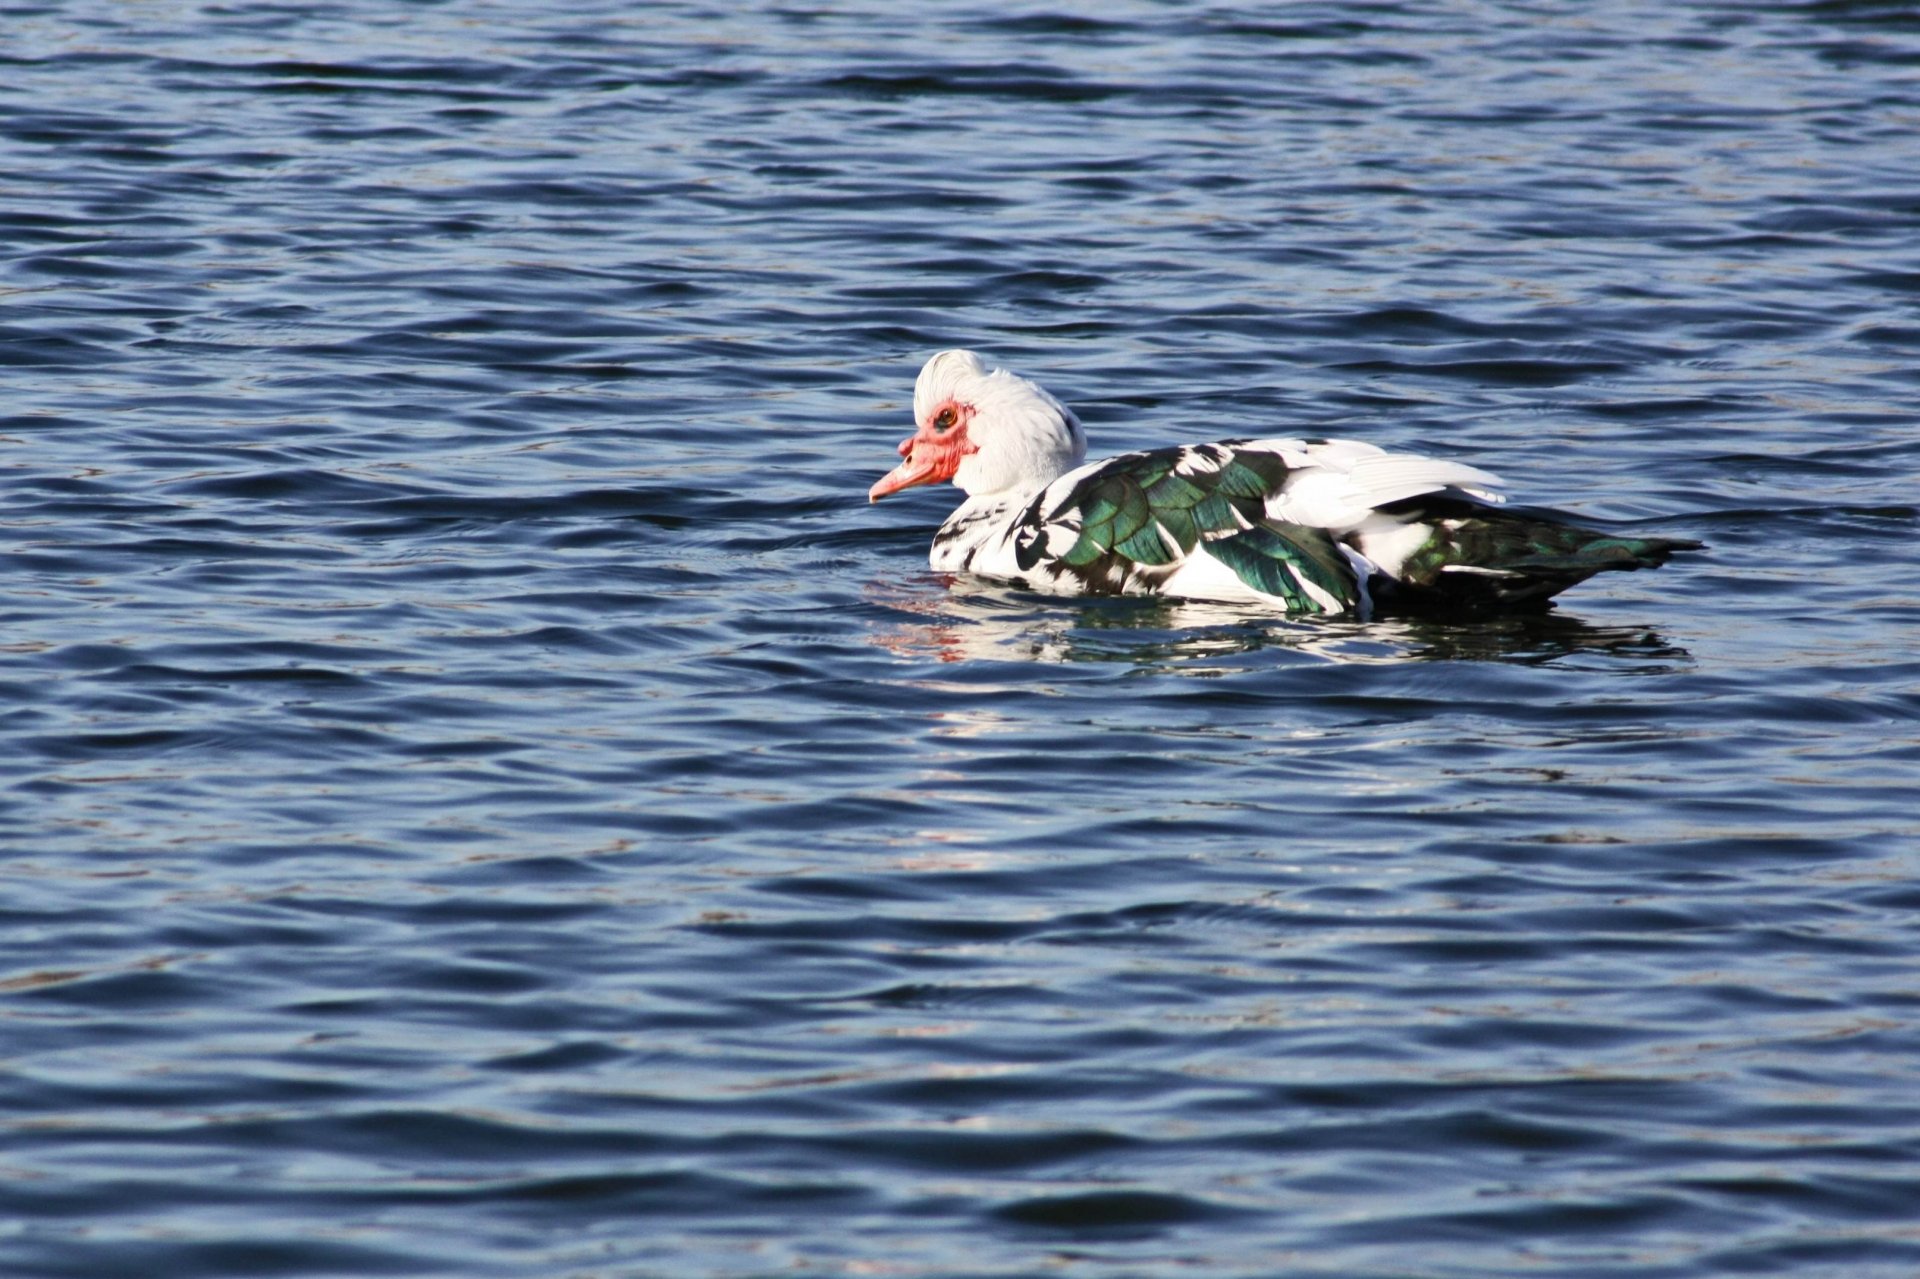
<point>988,433</point>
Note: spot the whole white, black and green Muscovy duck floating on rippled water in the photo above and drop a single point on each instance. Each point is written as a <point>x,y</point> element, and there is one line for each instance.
<point>1310,525</point>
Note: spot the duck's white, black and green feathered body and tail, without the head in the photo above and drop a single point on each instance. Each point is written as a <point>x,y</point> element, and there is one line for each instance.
<point>1312,525</point>
